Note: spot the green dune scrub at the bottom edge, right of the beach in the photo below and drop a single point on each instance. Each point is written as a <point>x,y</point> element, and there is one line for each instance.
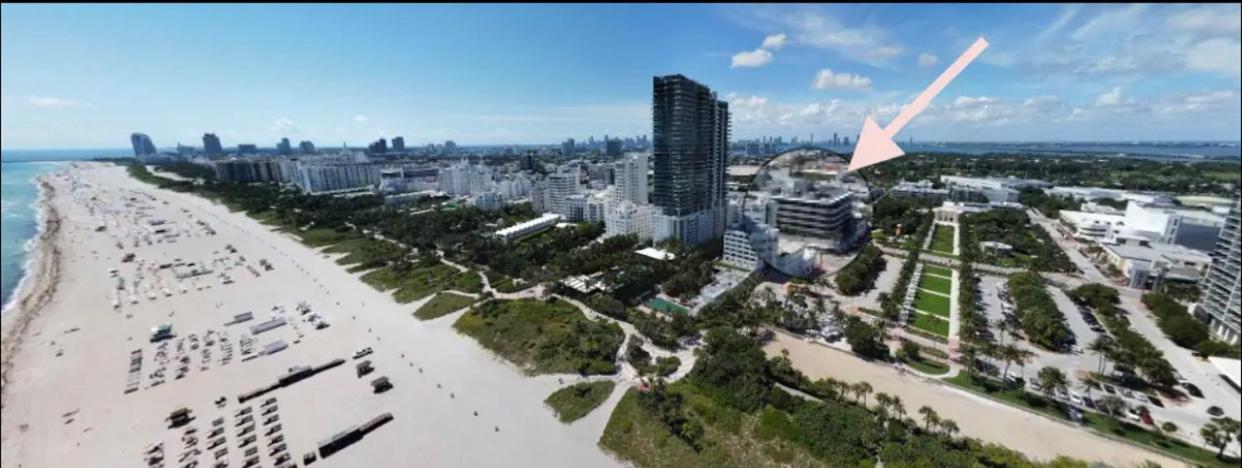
<point>731,439</point>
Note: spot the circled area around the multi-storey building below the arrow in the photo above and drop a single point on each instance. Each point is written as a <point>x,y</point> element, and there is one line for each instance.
<point>803,214</point>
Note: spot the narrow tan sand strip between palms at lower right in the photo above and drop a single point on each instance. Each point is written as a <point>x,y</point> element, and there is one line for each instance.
<point>977,416</point>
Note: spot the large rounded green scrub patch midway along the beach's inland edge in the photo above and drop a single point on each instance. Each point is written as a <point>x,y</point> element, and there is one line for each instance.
<point>545,338</point>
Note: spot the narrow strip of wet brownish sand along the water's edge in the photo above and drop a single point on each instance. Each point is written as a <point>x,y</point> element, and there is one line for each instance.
<point>37,287</point>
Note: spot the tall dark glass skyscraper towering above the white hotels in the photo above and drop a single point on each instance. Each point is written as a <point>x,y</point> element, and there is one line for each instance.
<point>690,143</point>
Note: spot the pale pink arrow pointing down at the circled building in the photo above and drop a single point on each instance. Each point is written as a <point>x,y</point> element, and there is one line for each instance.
<point>876,145</point>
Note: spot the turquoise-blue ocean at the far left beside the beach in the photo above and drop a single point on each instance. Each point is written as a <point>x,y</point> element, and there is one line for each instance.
<point>19,219</point>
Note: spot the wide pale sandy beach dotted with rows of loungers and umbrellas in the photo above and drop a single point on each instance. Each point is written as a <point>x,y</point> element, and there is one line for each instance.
<point>86,388</point>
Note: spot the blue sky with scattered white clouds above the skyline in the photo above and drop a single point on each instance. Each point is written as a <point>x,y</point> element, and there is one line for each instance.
<point>86,76</point>
